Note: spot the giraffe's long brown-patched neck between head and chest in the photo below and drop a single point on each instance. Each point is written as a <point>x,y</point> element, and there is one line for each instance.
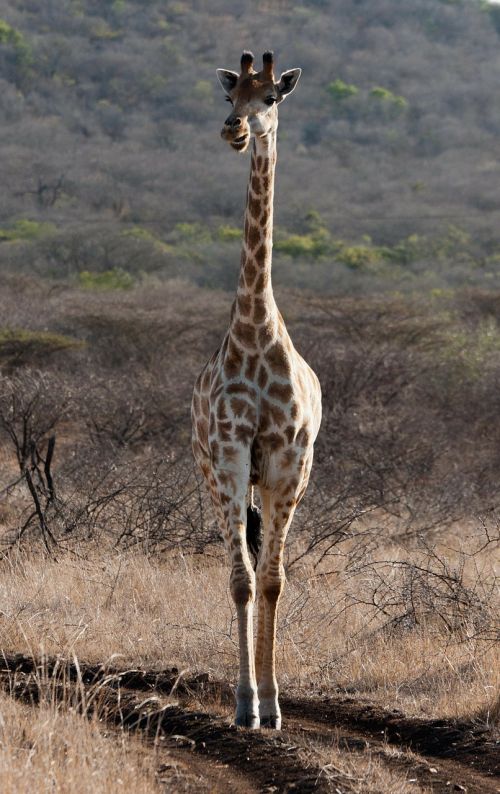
<point>254,300</point>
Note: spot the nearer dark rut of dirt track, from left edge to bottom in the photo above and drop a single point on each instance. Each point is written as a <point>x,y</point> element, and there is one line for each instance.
<point>227,758</point>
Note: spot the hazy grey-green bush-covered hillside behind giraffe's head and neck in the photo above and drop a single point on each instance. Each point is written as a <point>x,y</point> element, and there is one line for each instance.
<point>389,150</point>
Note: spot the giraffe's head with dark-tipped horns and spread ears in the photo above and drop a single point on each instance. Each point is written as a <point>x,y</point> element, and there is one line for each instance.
<point>254,97</point>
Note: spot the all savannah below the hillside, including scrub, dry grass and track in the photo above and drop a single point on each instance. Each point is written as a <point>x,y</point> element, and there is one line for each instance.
<point>117,628</point>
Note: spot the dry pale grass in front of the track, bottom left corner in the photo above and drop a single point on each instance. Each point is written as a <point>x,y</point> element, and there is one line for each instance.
<point>45,750</point>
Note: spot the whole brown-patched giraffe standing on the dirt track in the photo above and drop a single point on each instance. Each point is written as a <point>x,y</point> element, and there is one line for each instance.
<point>256,406</point>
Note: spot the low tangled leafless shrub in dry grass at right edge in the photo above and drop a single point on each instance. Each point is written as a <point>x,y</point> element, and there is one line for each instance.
<point>435,587</point>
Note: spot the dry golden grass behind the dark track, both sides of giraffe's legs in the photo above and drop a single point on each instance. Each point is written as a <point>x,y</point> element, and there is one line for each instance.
<point>135,611</point>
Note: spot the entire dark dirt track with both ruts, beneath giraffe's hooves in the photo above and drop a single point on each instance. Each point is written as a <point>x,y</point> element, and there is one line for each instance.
<point>443,757</point>
